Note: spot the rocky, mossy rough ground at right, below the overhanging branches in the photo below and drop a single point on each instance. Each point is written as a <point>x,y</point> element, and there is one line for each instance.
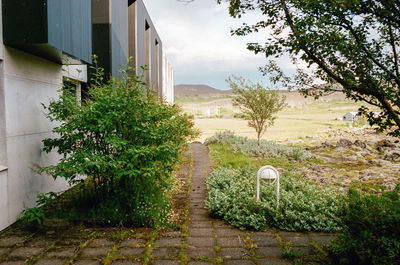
<point>353,157</point>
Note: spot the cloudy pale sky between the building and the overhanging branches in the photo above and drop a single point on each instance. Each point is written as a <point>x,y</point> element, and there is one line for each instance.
<point>198,43</point>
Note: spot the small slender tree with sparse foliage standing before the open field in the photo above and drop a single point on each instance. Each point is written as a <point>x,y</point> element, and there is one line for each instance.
<point>257,103</point>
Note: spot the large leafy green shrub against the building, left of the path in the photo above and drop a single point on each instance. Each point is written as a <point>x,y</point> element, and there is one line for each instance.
<point>126,140</point>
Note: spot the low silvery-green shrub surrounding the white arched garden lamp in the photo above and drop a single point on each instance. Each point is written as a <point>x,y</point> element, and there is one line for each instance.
<point>302,207</point>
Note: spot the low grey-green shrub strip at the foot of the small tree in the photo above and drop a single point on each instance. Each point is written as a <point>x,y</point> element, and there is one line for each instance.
<point>250,147</point>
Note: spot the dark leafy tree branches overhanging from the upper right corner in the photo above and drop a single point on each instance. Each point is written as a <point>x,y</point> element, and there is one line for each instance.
<point>353,43</point>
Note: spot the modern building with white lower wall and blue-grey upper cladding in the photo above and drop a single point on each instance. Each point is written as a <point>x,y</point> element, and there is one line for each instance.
<point>41,43</point>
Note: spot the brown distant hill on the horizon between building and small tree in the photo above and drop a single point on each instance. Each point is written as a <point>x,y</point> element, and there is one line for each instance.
<point>200,91</point>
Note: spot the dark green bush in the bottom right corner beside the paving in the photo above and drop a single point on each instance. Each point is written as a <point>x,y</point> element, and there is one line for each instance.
<point>371,233</point>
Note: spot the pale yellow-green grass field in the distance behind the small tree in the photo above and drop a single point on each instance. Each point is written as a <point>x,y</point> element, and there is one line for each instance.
<point>312,118</point>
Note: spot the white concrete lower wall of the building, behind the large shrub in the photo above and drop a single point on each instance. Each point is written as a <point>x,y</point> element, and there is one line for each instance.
<point>28,82</point>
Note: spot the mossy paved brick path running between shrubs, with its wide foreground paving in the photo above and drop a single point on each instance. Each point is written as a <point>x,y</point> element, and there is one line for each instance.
<point>200,240</point>
